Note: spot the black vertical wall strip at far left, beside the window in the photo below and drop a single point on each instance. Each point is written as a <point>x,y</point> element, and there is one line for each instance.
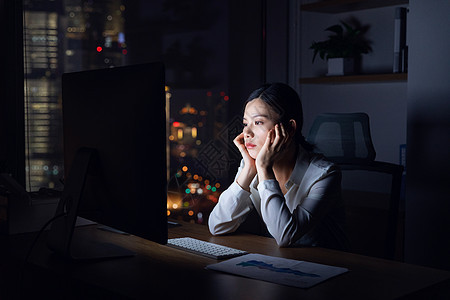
<point>12,136</point>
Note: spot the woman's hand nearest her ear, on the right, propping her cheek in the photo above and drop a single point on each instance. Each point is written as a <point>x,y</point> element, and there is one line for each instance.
<point>276,142</point>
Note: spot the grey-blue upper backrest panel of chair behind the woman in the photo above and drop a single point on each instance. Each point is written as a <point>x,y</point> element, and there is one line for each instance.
<point>343,137</point>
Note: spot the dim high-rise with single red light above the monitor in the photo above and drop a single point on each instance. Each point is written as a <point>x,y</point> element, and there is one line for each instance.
<point>94,34</point>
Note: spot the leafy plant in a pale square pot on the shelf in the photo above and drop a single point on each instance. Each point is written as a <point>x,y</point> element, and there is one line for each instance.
<point>344,48</point>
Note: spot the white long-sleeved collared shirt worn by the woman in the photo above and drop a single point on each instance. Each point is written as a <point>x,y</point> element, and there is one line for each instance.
<point>310,213</point>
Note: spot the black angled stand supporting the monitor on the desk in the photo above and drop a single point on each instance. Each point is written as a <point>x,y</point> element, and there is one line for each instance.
<point>61,238</point>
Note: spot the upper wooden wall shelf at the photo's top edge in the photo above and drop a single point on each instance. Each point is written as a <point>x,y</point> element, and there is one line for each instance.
<point>339,6</point>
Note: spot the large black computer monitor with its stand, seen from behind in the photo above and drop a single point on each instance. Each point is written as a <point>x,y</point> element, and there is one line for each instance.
<point>114,126</point>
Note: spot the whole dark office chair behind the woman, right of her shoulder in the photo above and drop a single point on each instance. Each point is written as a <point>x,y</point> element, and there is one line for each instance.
<point>345,139</point>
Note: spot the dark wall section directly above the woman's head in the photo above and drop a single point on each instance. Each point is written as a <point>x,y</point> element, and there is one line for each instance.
<point>258,46</point>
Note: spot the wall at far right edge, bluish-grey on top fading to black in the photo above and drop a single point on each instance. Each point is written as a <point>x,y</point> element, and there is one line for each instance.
<point>427,231</point>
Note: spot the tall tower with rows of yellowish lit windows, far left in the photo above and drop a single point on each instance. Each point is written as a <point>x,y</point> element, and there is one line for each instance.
<point>42,68</point>
